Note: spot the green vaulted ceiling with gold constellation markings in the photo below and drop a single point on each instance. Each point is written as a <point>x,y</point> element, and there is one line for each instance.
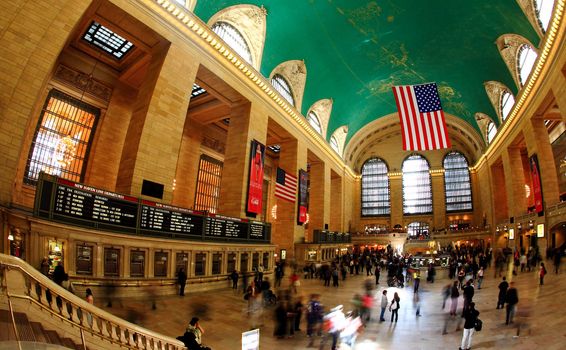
<point>356,50</point>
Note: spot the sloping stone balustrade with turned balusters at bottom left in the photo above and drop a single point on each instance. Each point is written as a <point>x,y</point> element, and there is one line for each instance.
<point>99,323</point>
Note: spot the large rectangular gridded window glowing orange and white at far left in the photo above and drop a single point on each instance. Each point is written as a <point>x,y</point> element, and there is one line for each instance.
<point>62,139</point>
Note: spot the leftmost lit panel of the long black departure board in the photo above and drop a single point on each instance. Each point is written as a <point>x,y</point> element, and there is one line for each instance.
<point>88,203</point>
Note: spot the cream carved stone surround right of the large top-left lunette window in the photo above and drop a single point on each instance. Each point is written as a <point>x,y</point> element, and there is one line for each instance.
<point>250,21</point>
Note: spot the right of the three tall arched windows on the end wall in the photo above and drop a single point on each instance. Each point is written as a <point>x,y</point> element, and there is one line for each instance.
<point>457,185</point>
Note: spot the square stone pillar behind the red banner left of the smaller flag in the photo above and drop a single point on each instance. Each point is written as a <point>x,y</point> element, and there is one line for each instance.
<point>247,122</point>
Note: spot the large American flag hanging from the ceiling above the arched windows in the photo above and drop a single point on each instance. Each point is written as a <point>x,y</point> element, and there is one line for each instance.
<point>422,119</point>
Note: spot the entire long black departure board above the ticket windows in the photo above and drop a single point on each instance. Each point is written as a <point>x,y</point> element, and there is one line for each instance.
<point>78,204</point>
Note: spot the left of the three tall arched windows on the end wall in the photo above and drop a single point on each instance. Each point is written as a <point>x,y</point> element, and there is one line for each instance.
<point>375,188</point>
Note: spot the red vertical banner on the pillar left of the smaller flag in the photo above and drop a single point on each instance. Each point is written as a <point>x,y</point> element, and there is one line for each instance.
<point>255,179</point>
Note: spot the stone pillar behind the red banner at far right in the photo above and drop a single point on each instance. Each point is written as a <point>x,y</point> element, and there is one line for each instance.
<point>536,136</point>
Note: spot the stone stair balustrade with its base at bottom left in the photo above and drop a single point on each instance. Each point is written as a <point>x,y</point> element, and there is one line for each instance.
<point>27,284</point>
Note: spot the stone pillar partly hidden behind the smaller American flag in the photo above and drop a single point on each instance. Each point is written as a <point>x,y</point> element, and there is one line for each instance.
<point>293,156</point>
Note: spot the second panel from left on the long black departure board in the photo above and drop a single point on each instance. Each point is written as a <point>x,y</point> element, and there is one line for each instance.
<point>162,217</point>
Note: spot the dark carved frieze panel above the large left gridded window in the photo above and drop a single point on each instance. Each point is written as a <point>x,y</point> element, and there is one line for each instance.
<point>83,82</point>
